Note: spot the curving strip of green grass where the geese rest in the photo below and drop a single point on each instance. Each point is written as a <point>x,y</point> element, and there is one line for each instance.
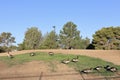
<point>83,63</point>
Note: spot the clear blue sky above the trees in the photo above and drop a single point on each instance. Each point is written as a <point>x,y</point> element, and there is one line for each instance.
<point>89,15</point>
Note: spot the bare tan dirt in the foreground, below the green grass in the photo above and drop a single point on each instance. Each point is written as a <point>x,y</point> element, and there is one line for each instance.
<point>31,70</point>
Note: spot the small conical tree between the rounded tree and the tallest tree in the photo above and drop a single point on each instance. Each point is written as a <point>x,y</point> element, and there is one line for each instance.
<point>50,41</point>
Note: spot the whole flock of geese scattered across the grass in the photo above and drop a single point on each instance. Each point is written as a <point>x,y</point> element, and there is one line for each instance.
<point>75,59</point>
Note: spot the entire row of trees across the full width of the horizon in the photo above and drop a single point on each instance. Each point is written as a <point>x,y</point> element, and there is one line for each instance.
<point>68,38</point>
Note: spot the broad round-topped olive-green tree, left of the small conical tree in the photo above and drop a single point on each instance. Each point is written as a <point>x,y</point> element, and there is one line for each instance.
<point>32,38</point>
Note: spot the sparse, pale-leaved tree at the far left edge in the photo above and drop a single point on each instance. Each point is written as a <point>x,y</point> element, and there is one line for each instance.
<point>7,40</point>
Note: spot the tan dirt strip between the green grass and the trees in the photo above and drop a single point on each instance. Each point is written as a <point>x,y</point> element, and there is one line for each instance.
<point>107,55</point>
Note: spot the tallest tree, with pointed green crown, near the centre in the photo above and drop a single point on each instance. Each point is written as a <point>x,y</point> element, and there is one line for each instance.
<point>70,36</point>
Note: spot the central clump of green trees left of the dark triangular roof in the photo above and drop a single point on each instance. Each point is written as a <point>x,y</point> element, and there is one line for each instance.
<point>68,38</point>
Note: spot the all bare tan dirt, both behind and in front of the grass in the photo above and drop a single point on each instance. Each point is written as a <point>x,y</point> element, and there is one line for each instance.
<point>39,70</point>
